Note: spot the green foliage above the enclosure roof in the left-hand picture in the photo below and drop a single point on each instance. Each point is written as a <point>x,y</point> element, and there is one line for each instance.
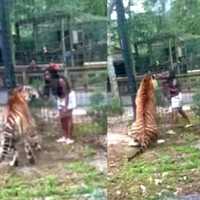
<point>43,8</point>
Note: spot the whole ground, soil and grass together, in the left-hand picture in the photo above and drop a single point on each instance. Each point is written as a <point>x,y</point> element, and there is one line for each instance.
<point>62,172</point>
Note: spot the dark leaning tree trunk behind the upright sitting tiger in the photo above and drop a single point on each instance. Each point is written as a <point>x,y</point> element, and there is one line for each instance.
<point>126,51</point>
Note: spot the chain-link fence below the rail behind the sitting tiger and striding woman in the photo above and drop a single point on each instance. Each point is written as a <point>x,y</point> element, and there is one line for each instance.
<point>189,84</point>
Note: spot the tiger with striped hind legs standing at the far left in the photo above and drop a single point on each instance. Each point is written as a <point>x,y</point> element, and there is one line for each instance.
<point>18,124</point>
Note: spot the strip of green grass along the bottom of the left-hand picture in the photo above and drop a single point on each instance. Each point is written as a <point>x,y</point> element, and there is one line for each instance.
<point>84,180</point>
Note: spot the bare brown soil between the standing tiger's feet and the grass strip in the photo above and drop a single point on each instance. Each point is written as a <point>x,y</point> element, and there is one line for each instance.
<point>53,157</point>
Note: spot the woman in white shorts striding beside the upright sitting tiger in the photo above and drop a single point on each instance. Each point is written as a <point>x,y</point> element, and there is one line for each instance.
<point>175,95</point>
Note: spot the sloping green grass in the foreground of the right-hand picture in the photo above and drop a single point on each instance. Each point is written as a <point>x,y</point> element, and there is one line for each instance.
<point>175,163</point>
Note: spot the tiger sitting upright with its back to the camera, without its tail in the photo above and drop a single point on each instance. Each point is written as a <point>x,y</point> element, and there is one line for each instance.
<point>144,129</point>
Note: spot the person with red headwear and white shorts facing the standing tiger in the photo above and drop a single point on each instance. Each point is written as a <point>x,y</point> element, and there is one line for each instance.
<point>58,88</point>
